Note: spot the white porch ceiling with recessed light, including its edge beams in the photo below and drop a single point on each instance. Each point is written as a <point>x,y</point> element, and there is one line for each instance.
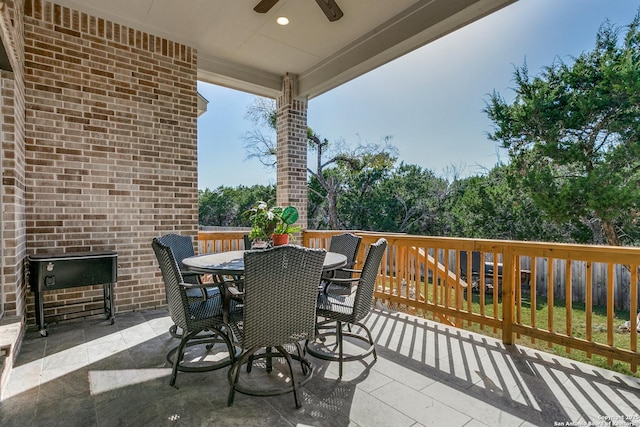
<point>245,50</point>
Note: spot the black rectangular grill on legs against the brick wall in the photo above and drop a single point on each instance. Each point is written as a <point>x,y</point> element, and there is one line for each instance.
<point>60,271</point>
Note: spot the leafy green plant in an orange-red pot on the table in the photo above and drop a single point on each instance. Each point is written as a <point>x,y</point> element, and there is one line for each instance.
<point>274,224</point>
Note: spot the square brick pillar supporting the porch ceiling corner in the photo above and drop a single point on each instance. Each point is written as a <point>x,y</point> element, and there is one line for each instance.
<point>291,125</point>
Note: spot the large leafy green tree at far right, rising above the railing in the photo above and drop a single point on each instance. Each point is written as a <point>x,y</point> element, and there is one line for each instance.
<point>573,135</point>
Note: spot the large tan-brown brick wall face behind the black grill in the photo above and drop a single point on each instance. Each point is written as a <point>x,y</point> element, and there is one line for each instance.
<point>111,148</point>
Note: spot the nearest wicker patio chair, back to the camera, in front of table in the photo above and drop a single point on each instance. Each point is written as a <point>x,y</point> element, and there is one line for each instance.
<point>280,291</point>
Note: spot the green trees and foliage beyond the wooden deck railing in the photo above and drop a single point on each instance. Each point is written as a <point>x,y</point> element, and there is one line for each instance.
<point>572,133</point>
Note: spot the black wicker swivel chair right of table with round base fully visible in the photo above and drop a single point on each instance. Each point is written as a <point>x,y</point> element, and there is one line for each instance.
<point>349,309</point>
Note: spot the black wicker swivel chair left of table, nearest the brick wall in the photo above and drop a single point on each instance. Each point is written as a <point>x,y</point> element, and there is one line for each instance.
<point>192,315</point>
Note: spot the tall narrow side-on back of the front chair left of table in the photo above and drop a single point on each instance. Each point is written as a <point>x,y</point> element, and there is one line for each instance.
<point>176,295</point>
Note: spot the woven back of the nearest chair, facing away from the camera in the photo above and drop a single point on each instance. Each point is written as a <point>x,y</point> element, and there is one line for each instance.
<point>281,287</point>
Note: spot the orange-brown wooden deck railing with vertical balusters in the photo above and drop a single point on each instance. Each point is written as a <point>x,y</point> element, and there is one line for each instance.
<point>524,290</point>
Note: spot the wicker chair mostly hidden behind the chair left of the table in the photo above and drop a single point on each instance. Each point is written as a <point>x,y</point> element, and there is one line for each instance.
<point>182,247</point>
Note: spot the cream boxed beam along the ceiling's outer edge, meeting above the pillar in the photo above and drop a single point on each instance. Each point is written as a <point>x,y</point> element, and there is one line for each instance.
<point>415,27</point>
